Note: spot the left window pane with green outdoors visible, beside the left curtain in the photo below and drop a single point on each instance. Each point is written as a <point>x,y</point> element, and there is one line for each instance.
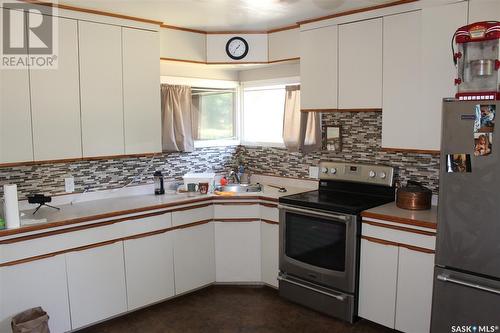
<point>213,113</point>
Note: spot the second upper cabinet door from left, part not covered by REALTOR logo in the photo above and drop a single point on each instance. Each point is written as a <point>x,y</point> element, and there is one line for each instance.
<point>55,100</point>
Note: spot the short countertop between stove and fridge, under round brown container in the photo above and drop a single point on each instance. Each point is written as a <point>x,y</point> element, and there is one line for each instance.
<point>390,212</point>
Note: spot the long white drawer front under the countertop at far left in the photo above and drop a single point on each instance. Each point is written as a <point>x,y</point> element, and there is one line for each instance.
<point>64,241</point>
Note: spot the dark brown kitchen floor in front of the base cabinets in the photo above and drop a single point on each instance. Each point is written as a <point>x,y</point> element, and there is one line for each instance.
<point>221,309</point>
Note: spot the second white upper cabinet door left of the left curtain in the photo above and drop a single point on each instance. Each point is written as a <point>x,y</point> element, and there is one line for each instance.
<point>101,89</point>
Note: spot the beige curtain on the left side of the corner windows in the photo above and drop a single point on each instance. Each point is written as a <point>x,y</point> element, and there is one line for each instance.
<point>177,129</point>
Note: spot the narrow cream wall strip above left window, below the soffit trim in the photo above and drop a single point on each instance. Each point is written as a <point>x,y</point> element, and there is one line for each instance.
<point>176,68</point>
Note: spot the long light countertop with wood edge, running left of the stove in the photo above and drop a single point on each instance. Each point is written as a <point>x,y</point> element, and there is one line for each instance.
<point>85,211</point>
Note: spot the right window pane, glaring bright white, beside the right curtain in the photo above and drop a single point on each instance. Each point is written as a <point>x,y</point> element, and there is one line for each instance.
<point>263,109</point>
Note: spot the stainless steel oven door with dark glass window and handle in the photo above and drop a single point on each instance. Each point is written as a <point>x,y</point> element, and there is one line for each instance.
<point>319,246</point>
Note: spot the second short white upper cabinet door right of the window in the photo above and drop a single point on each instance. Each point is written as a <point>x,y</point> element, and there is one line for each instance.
<point>360,65</point>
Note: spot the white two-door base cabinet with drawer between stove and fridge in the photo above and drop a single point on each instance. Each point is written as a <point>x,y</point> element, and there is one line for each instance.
<point>396,275</point>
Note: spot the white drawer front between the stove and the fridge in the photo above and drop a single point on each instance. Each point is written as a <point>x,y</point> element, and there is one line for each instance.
<point>398,236</point>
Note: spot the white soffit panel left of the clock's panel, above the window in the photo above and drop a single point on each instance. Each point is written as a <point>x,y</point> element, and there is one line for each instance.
<point>179,44</point>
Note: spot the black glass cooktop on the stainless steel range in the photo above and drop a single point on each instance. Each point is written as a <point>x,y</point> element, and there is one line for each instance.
<point>340,200</point>
